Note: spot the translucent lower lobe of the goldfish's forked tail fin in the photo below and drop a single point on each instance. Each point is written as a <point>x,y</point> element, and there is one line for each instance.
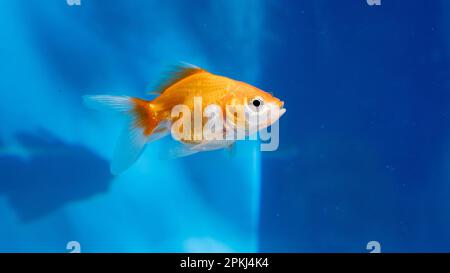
<point>129,147</point>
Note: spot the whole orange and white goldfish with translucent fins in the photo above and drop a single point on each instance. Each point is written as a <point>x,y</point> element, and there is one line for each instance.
<point>216,104</point>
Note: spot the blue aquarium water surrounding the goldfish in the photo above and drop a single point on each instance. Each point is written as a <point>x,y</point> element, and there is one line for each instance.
<point>364,151</point>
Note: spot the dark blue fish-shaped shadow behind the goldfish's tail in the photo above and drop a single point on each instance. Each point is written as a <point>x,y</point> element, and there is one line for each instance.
<point>49,175</point>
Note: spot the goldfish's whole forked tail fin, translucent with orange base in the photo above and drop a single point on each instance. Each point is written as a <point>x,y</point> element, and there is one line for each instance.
<point>141,122</point>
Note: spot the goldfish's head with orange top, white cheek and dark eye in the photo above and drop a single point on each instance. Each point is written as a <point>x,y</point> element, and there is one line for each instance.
<point>261,109</point>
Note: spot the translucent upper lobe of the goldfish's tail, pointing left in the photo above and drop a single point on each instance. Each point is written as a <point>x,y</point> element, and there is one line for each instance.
<point>108,103</point>
